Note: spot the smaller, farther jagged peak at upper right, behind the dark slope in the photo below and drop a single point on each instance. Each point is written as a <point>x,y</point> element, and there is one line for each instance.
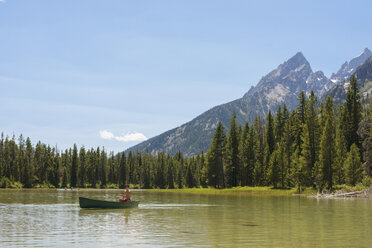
<point>348,68</point>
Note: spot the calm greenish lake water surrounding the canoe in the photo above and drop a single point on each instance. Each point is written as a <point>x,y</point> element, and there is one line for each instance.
<point>53,219</point>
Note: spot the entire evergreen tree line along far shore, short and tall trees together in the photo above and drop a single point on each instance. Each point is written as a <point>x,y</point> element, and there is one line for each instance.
<point>316,145</point>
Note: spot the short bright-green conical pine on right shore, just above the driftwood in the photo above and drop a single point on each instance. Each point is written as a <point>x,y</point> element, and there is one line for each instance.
<point>353,166</point>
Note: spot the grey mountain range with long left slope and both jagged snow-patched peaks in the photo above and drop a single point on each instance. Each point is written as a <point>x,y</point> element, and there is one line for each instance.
<point>281,85</point>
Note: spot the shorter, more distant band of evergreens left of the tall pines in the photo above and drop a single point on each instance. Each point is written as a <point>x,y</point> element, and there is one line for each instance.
<point>25,165</point>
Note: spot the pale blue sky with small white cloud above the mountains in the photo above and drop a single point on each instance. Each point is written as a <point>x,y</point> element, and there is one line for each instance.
<point>114,73</point>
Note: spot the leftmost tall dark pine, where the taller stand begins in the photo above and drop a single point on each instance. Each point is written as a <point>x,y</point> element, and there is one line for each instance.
<point>215,173</point>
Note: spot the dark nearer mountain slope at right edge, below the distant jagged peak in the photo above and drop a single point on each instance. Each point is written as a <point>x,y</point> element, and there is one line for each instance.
<point>363,75</point>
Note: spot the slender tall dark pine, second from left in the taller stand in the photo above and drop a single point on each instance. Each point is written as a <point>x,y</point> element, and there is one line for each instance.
<point>231,154</point>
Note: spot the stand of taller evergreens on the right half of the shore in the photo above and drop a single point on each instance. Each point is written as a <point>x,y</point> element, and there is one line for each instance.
<point>315,145</point>
